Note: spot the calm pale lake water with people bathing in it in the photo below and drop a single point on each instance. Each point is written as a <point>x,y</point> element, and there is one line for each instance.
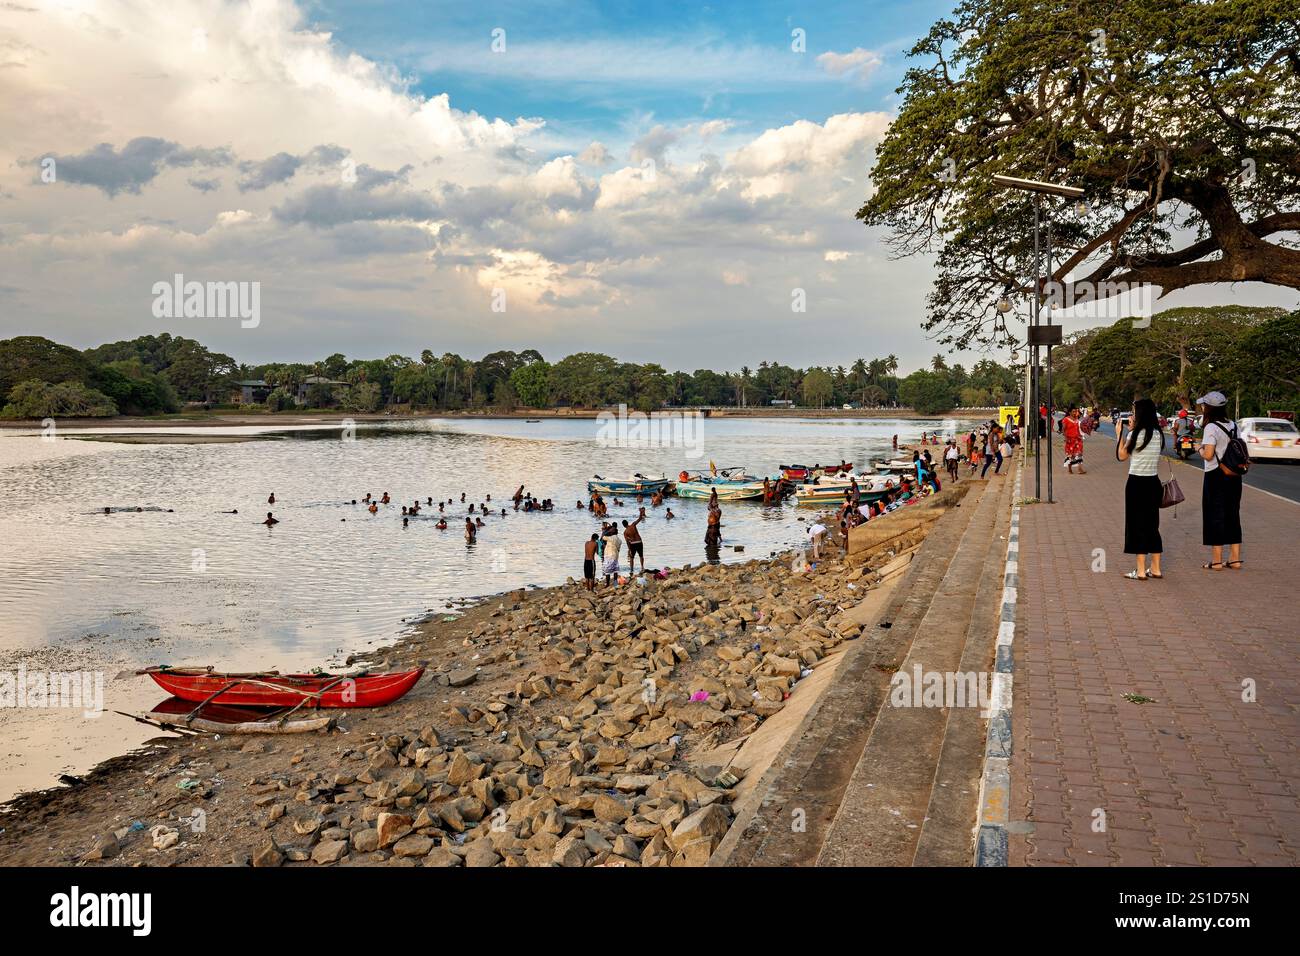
<point>86,591</point>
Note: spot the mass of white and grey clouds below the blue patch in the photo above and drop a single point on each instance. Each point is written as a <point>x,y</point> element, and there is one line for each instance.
<point>445,205</point>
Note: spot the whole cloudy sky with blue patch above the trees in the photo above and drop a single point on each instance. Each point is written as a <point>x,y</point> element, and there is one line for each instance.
<point>658,181</point>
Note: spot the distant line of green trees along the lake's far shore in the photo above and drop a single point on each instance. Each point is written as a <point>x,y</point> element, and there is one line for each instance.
<point>162,374</point>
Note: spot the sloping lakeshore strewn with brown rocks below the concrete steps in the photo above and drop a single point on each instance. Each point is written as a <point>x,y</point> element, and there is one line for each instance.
<point>554,726</point>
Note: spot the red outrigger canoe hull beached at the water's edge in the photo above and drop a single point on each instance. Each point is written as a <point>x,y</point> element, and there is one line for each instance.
<point>274,690</point>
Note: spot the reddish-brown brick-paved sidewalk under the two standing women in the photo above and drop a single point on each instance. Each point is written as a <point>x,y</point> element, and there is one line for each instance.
<point>1198,776</point>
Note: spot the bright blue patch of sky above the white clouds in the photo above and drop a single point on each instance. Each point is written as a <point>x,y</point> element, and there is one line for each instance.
<point>608,71</point>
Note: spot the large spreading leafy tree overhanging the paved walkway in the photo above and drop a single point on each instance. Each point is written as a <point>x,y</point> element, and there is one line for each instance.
<point>1177,118</point>
